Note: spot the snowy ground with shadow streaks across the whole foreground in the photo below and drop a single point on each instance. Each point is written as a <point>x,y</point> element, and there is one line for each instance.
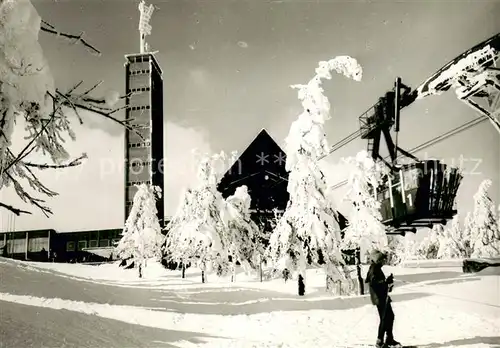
<point>74,305</point>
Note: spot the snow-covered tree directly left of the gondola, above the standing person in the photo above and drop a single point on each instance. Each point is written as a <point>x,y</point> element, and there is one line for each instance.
<point>365,229</point>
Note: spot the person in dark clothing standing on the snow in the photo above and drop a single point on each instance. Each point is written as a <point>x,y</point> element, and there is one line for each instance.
<point>379,295</point>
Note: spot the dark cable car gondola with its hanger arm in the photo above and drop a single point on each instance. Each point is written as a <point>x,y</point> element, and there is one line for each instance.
<point>415,194</point>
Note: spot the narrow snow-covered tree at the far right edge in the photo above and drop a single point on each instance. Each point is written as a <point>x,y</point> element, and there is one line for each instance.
<point>485,234</point>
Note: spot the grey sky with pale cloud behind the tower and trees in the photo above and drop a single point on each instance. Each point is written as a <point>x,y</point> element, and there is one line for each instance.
<point>227,69</point>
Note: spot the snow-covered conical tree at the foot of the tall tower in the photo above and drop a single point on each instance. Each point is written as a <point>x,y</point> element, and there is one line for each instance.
<point>142,237</point>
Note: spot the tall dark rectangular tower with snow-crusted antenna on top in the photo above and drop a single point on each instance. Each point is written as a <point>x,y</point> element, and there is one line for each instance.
<point>144,84</point>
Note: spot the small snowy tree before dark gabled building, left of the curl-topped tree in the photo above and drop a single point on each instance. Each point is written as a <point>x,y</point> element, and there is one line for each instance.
<point>243,233</point>
